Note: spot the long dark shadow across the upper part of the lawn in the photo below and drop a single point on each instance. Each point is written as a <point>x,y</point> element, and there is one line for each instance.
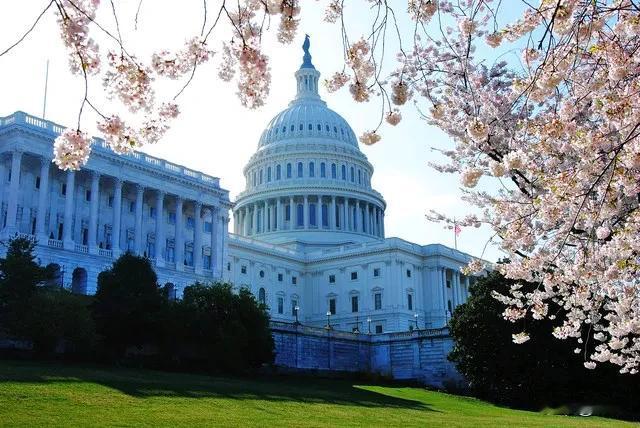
<point>148,383</point>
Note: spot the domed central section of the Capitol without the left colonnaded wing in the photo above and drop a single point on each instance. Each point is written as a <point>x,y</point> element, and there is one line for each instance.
<point>309,237</point>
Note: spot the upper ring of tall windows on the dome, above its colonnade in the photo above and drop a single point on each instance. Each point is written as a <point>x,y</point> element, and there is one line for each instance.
<point>352,174</point>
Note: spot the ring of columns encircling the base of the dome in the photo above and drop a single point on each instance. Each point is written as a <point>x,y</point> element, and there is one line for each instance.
<point>309,212</point>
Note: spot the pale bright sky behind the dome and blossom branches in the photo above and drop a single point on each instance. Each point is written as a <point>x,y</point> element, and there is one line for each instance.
<point>216,135</point>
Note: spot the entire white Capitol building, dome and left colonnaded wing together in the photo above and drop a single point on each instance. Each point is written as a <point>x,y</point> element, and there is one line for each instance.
<point>307,233</point>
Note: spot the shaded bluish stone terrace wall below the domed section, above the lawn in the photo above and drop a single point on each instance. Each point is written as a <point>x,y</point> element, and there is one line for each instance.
<point>419,356</point>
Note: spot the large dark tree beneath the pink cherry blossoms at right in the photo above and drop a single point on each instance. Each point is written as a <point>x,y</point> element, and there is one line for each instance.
<point>542,371</point>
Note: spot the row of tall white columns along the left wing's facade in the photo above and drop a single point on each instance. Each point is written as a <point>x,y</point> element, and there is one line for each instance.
<point>218,216</point>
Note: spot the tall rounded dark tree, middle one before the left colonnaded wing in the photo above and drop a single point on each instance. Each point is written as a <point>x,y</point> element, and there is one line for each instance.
<point>128,304</point>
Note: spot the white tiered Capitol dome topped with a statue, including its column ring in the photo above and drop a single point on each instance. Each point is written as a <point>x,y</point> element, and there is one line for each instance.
<point>308,182</point>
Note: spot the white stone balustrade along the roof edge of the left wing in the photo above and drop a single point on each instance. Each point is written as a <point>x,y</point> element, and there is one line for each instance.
<point>21,118</point>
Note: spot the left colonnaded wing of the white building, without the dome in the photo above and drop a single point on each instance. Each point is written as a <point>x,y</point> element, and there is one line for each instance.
<point>84,220</point>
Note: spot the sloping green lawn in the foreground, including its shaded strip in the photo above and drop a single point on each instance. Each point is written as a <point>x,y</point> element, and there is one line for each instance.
<point>38,394</point>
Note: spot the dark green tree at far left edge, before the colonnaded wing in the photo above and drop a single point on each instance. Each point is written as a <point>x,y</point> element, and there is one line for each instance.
<point>20,274</point>
